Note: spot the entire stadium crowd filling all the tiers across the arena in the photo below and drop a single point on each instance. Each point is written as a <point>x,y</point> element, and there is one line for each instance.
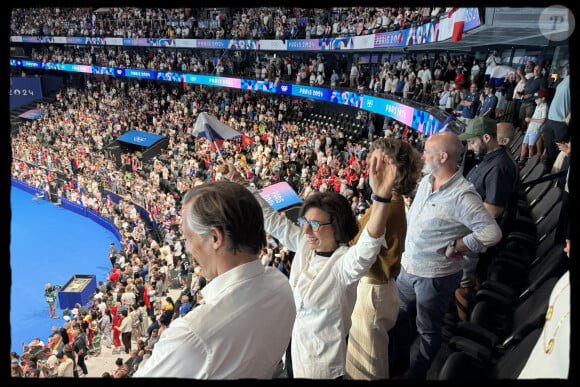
<point>65,153</point>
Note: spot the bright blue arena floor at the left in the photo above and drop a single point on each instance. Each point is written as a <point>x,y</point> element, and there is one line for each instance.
<point>48,244</point>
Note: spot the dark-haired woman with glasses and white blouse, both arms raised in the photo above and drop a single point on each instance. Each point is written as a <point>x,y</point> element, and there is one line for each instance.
<point>326,269</point>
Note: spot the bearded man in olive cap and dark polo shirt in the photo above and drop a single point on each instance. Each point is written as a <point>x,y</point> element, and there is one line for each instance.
<point>494,179</point>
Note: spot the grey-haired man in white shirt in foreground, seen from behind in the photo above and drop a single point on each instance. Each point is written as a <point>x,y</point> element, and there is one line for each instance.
<point>255,315</point>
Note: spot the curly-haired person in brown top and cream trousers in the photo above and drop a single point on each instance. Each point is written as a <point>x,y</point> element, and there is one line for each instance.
<point>377,303</point>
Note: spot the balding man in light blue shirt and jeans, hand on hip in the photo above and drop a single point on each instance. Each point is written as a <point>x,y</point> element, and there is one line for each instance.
<point>445,224</point>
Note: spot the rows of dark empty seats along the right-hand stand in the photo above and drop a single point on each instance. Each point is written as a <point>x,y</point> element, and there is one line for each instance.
<point>509,309</point>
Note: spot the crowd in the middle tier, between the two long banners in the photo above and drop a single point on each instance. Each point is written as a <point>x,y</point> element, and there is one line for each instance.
<point>443,81</point>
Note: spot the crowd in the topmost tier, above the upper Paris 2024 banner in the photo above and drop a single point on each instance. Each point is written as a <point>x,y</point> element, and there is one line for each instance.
<point>236,23</point>
